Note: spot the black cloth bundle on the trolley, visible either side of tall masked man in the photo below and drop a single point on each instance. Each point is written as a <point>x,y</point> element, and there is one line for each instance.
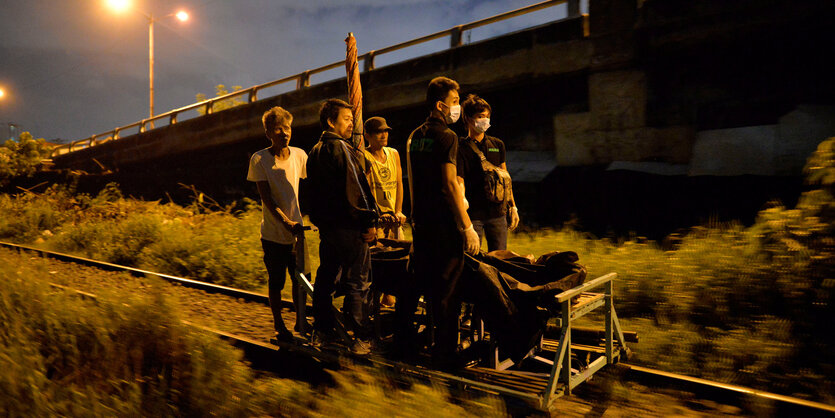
<point>506,289</point>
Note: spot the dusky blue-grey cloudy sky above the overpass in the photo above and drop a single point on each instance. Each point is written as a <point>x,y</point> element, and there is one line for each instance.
<point>73,68</point>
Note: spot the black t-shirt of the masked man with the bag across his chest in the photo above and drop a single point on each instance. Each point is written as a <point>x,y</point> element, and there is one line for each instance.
<point>469,168</point>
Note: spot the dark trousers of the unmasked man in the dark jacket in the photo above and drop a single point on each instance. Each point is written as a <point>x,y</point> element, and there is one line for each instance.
<point>343,259</point>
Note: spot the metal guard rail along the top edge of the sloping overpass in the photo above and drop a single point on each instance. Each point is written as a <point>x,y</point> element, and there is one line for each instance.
<point>303,79</point>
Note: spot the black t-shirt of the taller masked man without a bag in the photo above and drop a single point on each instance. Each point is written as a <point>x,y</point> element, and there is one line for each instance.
<point>431,146</point>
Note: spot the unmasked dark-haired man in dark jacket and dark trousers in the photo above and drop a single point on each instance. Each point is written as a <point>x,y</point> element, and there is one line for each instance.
<point>344,210</point>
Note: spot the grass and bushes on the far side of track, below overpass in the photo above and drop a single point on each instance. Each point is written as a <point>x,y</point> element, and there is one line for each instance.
<point>745,305</point>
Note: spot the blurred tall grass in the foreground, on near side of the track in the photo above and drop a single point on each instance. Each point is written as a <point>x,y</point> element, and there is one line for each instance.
<point>129,355</point>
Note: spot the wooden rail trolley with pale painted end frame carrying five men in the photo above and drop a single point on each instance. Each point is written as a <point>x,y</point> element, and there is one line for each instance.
<point>564,357</point>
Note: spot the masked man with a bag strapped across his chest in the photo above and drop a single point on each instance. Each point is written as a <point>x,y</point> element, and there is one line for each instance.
<point>489,218</point>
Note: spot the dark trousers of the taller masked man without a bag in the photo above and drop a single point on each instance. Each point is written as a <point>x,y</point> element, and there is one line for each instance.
<point>437,258</point>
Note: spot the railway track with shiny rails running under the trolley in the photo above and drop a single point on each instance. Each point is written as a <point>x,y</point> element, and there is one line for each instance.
<point>262,353</point>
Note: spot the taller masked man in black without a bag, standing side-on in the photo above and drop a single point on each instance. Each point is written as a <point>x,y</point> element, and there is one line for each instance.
<point>442,230</point>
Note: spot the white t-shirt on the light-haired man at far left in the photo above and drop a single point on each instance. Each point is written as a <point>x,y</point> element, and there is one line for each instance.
<point>283,177</point>
